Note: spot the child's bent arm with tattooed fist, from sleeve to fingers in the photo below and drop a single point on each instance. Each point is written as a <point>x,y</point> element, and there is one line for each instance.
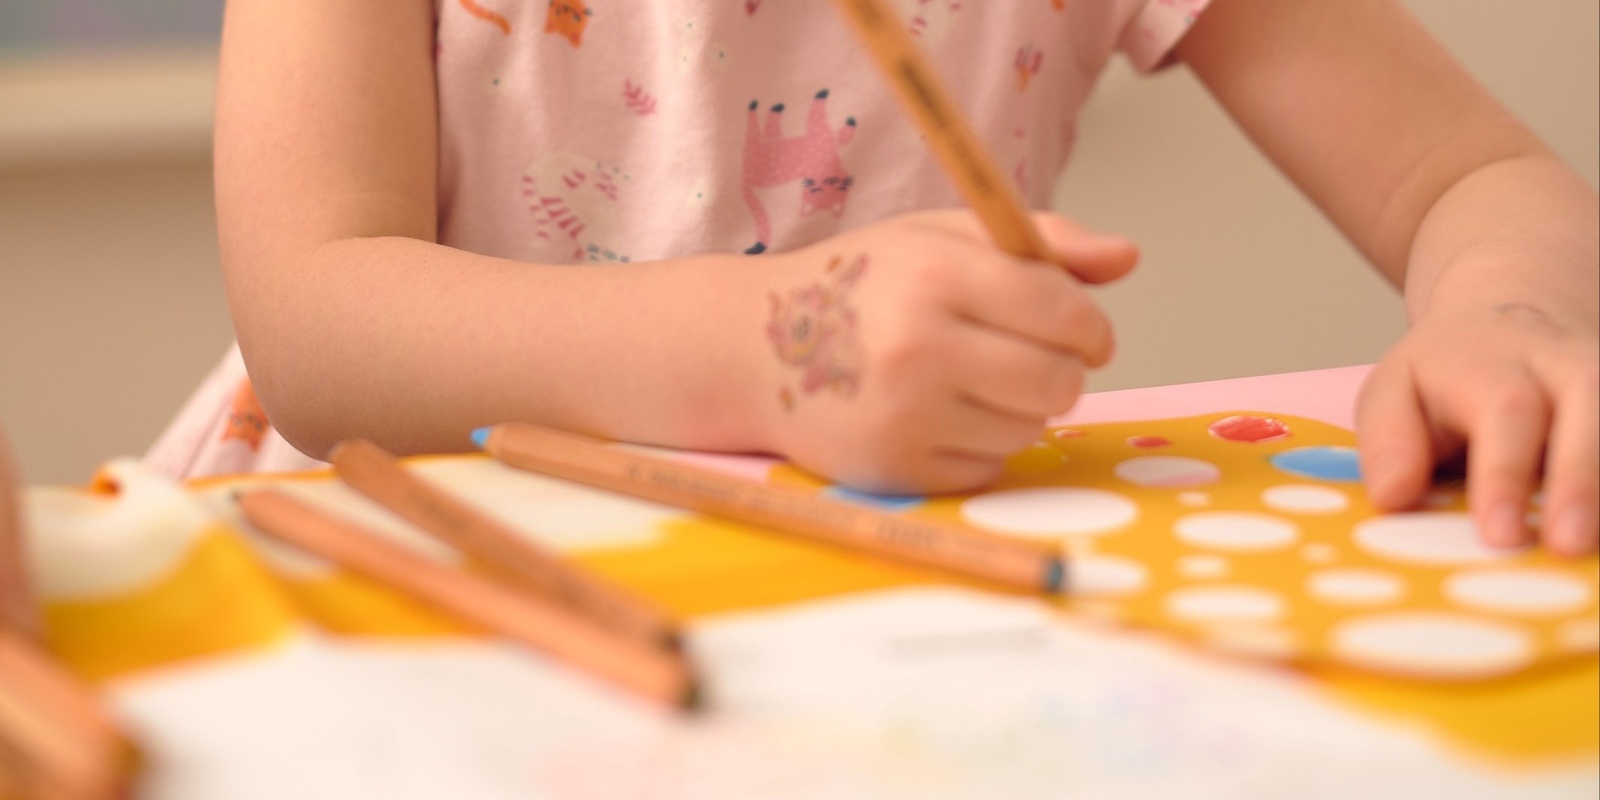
<point>356,324</point>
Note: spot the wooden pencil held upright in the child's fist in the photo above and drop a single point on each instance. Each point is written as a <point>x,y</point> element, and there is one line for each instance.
<point>985,188</point>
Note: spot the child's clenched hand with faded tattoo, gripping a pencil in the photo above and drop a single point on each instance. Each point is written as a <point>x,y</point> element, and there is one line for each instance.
<point>913,356</point>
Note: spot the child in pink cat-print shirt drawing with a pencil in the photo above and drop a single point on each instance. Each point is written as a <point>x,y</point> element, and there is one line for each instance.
<point>772,263</point>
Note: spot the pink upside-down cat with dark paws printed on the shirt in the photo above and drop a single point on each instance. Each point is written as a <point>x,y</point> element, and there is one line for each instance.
<point>812,158</point>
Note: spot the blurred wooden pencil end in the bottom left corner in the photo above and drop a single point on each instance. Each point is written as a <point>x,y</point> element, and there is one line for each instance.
<point>55,740</point>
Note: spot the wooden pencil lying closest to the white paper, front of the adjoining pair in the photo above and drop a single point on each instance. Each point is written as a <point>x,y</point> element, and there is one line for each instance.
<point>644,670</point>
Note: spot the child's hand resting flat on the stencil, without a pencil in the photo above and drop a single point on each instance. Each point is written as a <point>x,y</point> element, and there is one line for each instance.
<point>1514,383</point>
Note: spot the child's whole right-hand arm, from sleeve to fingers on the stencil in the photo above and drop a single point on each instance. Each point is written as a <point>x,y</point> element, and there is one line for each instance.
<point>1495,242</point>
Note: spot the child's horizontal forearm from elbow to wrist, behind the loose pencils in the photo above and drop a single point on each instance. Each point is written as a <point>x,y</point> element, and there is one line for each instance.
<point>414,345</point>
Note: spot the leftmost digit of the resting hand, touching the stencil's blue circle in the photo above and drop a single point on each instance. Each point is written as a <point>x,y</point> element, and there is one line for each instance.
<point>1398,454</point>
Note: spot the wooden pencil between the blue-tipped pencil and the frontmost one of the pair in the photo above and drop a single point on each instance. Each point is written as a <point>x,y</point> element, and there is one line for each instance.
<point>508,556</point>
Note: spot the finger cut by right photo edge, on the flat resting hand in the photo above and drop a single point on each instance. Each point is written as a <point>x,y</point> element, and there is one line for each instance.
<point>1572,484</point>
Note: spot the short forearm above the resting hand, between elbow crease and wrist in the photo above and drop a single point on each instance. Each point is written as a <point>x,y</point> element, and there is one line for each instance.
<point>1516,233</point>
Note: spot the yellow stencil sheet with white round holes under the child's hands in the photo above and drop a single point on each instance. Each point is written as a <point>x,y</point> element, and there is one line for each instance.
<point>1250,534</point>
